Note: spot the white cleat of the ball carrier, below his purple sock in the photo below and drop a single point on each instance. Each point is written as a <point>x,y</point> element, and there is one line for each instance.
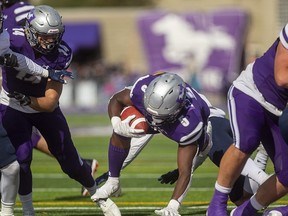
<point>111,187</point>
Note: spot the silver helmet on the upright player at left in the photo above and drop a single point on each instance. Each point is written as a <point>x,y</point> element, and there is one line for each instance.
<point>44,28</point>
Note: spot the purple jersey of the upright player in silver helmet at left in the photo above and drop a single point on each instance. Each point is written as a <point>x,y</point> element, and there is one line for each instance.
<point>27,84</point>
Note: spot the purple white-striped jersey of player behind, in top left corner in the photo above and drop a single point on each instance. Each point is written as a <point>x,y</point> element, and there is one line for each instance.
<point>16,14</point>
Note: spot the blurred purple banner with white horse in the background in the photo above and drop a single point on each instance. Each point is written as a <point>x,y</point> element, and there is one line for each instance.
<point>207,48</point>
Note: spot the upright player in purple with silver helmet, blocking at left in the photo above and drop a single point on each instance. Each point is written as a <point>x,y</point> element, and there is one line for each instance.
<point>33,100</point>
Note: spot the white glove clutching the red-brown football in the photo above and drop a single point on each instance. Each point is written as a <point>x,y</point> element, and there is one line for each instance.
<point>122,127</point>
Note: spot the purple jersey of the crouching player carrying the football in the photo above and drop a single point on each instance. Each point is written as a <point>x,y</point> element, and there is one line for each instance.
<point>190,124</point>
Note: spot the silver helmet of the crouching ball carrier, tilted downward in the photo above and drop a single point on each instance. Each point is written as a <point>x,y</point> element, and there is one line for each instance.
<point>164,98</point>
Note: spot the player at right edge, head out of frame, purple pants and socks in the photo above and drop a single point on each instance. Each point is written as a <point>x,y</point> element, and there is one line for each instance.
<point>256,100</point>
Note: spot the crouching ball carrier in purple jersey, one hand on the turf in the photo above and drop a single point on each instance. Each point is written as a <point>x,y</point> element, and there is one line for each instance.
<point>176,110</point>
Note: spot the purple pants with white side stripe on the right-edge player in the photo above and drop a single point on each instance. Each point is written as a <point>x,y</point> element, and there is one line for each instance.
<point>252,124</point>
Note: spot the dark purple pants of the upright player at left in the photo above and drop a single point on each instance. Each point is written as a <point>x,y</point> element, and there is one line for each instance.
<point>53,127</point>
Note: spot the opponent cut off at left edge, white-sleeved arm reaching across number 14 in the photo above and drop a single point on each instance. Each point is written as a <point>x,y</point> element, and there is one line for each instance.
<point>8,164</point>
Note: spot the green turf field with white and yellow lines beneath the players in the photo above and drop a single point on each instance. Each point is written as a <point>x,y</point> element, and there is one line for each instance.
<point>56,194</point>
